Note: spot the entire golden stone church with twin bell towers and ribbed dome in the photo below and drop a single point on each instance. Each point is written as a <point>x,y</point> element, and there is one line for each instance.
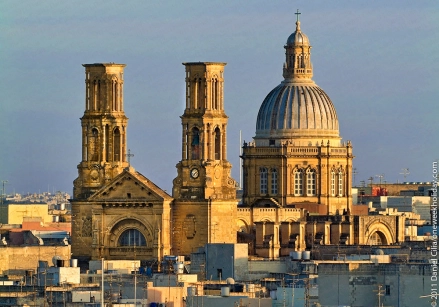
<point>297,173</point>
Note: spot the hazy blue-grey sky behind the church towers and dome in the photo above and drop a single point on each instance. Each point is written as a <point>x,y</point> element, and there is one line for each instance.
<point>377,60</point>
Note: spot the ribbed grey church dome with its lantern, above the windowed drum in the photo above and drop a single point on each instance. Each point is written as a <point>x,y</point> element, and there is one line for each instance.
<point>297,108</point>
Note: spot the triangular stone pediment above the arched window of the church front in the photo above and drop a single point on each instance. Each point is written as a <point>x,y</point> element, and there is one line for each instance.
<point>130,186</point>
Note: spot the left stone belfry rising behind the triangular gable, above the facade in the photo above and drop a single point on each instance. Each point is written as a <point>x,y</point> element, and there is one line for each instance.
<point>104,127</point>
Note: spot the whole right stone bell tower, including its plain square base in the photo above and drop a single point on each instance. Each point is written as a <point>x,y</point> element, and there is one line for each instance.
<point>204,192</point>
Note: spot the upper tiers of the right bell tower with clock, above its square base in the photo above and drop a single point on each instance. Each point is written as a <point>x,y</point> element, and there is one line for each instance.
<point>204,171</point>
